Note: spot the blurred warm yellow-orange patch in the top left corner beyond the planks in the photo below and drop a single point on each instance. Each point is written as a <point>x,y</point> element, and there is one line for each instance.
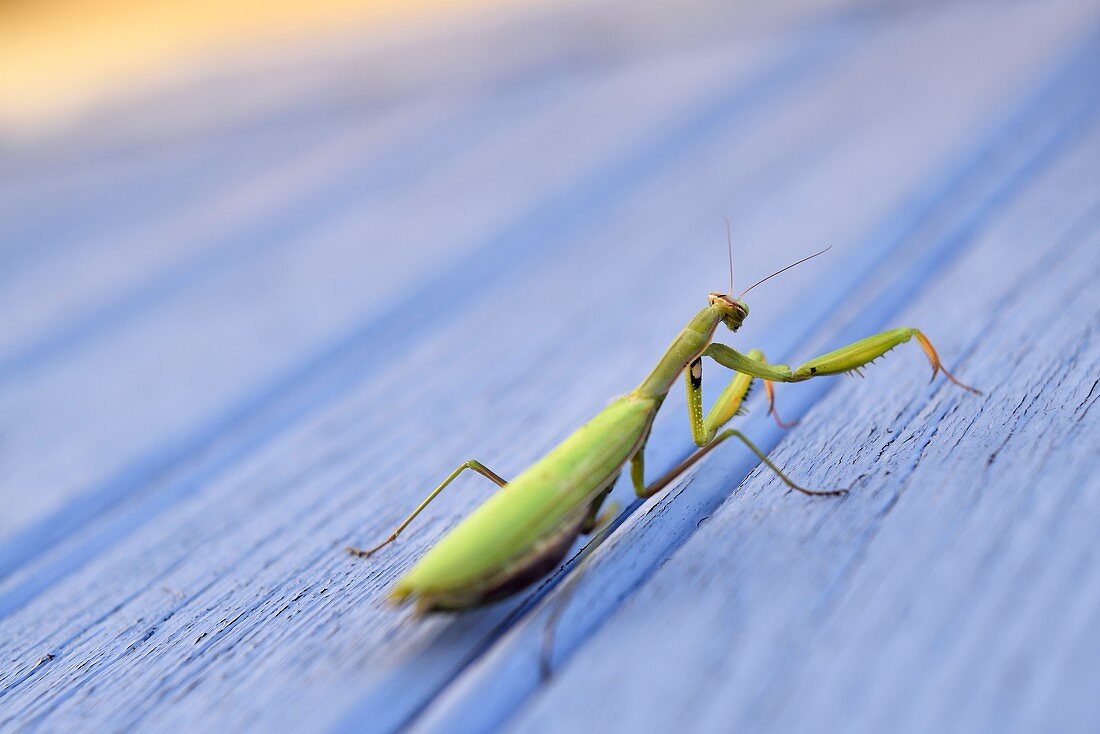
<point>59,56</point>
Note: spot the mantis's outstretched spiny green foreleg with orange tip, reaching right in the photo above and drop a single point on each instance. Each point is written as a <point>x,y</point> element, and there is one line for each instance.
<point>846,359</point>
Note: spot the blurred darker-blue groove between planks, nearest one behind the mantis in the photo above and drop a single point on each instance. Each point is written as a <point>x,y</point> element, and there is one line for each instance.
<point>345,365</point>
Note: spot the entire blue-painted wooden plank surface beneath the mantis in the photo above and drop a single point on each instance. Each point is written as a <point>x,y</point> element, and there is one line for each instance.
<point>236,342</point>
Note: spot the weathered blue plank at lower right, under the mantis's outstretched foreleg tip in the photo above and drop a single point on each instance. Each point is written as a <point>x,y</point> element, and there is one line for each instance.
<point>951,591</point>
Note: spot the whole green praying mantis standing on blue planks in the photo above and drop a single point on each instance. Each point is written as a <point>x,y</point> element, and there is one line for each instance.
<point>524,532</point>
